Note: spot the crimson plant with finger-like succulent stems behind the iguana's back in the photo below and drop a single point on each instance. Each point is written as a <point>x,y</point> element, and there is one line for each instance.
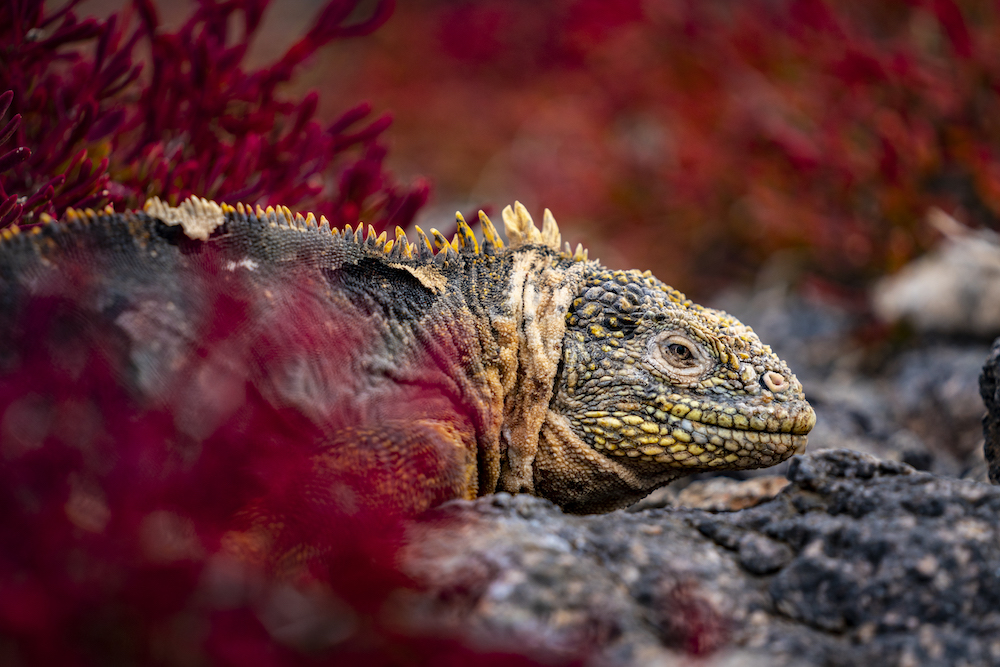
<point>99,121</point>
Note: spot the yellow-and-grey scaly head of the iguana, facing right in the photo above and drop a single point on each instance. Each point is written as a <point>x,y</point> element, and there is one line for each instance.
<point>651,387</point>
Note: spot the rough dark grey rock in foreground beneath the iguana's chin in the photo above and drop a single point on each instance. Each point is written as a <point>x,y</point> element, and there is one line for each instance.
<point>857,561</point>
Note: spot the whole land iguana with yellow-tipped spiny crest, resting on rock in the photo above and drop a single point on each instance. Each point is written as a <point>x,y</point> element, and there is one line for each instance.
<point>432,369</point>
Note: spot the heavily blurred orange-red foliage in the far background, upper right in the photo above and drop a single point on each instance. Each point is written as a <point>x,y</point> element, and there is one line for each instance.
<point>697,138</point>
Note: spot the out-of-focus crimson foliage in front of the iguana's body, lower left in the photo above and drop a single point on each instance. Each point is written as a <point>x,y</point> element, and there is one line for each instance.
<point>127,538</point>
